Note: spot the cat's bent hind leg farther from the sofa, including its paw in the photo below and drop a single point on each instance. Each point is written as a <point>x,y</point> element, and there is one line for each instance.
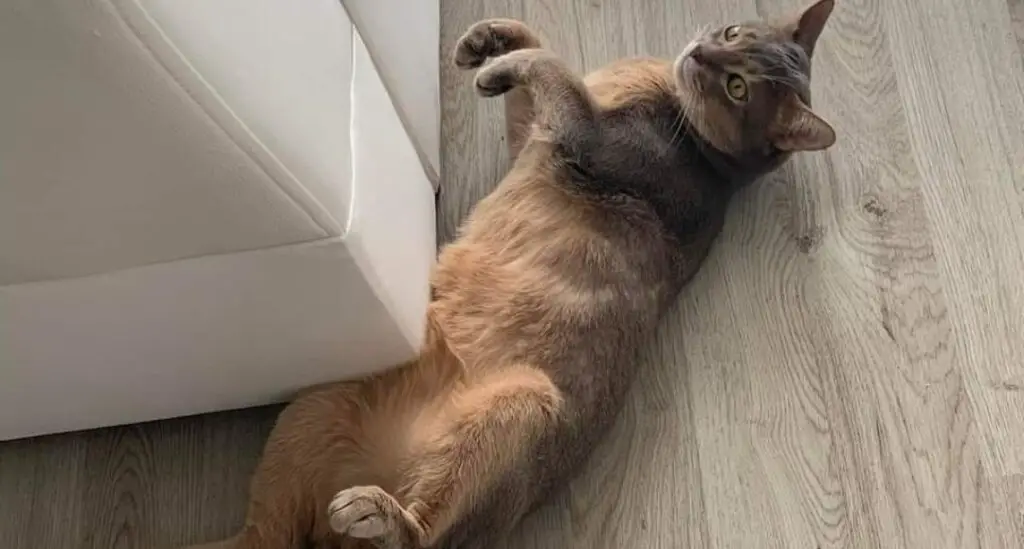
<point>478,439</point>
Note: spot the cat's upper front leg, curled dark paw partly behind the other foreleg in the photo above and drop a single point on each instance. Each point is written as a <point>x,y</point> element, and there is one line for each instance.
<point>491,38</point>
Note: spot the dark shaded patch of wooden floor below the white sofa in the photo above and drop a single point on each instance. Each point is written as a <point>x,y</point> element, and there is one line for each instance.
<point>152,486</point>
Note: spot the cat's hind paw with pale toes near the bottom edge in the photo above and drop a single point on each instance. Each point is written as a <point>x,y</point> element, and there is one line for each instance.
<point>365,513</point>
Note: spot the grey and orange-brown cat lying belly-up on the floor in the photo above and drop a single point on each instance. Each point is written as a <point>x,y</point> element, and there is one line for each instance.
<point>556,283</point>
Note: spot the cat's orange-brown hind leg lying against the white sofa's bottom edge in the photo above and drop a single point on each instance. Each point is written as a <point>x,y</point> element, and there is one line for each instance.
<point>324,441</point>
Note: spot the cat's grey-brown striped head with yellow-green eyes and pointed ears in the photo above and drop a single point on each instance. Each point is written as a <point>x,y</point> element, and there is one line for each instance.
<point>746,88</point>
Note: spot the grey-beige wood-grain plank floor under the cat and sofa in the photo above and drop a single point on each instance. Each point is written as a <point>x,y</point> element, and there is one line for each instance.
<point>847,371</point>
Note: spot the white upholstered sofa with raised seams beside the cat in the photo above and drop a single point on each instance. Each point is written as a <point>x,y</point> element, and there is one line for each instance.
<point>209,204</point>
